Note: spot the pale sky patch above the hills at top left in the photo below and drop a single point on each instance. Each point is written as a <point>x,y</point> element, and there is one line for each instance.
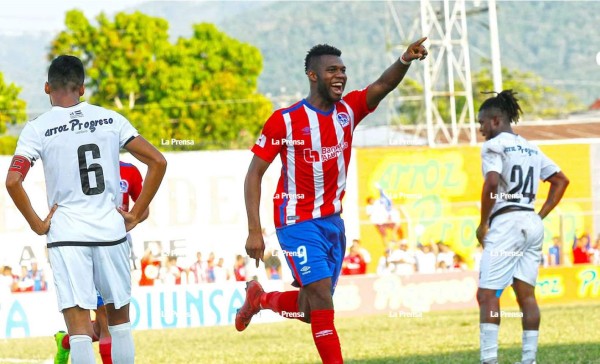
<point>18,16</point>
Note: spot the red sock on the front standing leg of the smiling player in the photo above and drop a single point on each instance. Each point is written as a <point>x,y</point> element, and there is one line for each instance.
<point>325,336</point>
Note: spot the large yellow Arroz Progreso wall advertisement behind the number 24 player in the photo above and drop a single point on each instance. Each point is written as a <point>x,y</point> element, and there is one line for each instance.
<point>437,193</point>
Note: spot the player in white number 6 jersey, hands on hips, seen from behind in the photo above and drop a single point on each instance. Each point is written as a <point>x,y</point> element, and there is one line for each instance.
<point>79,145</point>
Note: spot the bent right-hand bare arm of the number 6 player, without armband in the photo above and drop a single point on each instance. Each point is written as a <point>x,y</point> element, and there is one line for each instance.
<point>146,153</point>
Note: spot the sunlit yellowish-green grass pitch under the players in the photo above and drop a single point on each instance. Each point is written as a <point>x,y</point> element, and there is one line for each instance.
<point>569,335</point>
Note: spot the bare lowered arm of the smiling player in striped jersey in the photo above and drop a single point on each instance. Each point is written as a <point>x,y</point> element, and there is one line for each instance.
<point>255,245</point>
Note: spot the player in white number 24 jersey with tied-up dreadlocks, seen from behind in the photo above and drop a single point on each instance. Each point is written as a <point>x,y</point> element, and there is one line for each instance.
<point>510,231</point>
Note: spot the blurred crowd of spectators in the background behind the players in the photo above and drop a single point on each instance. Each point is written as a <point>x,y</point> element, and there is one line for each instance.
<point>156,268</point>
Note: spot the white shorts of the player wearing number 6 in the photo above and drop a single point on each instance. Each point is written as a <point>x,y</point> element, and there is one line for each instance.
<point>79,270</point>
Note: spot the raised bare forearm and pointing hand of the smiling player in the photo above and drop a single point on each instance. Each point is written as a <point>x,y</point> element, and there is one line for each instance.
<point>391,77</point>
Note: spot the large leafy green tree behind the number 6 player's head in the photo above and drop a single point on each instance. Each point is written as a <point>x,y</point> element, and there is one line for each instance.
<point>203,88</point>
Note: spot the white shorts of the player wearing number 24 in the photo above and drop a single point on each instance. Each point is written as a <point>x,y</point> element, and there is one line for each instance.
<point>513,249</point>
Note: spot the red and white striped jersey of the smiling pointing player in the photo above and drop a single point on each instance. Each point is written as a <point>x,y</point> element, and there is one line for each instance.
<point>315,149</point>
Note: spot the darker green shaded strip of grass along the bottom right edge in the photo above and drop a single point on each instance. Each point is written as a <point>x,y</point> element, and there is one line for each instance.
<point>585,353</point>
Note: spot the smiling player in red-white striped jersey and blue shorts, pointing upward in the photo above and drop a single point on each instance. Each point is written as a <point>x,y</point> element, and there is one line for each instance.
<point>314,140</point>
